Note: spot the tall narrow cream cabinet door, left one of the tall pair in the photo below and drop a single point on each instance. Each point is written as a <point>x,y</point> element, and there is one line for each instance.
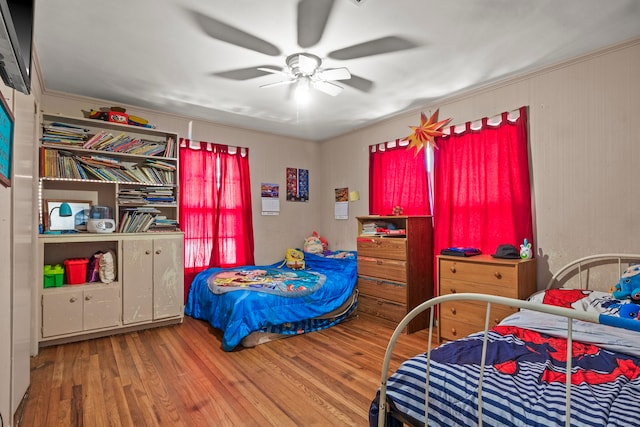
<point>137,280</point>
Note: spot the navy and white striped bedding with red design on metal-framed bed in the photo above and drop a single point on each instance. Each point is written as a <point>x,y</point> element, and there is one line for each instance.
<point>523,382</point>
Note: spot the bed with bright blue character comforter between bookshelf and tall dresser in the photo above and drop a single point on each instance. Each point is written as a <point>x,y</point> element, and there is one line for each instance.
<point>275,299</point>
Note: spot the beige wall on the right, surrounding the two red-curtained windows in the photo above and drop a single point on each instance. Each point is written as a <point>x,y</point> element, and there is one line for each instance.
<point>585,154</point>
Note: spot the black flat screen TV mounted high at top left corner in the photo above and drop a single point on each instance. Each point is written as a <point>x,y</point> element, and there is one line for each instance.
<point>16,37</point>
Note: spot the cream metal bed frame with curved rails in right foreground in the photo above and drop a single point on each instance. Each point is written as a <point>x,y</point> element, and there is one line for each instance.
<point>578,268</point>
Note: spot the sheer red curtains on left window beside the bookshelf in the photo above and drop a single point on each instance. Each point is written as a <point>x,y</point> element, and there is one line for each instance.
<point>215,207</point>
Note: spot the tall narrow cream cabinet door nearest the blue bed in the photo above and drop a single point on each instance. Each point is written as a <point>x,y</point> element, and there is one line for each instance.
<point>168,277</point>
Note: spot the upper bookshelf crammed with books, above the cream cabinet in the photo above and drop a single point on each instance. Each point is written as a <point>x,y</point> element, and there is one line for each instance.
<point>128,168</point>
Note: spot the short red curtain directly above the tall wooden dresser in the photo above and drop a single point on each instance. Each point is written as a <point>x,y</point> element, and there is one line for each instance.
<point>397,177</point>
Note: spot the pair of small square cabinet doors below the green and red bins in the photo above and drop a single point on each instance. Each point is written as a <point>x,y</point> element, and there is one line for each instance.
<point>80,308</point>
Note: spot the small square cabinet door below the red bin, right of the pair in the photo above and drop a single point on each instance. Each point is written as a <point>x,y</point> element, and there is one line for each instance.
<point>101,307</point>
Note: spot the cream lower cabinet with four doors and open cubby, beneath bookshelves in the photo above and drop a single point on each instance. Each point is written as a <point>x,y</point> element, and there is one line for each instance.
<point>148,288</point>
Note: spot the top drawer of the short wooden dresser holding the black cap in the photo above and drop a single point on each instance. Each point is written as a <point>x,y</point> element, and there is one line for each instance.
<point>478,272</point>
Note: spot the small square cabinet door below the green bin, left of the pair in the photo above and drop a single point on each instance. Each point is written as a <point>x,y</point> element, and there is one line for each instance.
<point>61,313</point>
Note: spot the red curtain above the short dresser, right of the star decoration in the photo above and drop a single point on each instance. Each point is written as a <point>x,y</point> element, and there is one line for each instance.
<point>482,193</point>
